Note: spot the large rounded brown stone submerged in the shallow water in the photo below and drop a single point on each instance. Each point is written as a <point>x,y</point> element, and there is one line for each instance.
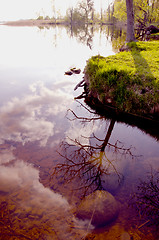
<point>100,208</point>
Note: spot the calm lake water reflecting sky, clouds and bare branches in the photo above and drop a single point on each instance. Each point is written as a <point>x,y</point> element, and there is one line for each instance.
<point>45,134</point>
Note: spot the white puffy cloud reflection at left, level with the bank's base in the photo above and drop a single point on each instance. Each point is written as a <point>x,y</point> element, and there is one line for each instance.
<point>31,118</point>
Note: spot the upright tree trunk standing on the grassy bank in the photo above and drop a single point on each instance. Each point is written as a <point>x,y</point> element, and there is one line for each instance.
<point>130,21</point>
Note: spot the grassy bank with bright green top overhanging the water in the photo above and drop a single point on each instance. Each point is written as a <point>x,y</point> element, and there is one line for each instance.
<point>128,80</point>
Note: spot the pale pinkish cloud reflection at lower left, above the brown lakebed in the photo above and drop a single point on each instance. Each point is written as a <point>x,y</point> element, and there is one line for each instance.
<point>22,175</point>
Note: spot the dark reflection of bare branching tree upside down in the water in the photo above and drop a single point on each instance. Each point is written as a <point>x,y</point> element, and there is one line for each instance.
<point>89,162</point>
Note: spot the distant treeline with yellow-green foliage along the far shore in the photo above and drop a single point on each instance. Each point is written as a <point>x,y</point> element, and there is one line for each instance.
<point>145,11</point>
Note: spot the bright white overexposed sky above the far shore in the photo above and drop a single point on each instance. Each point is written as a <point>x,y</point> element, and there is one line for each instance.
<point>26,9</point>
